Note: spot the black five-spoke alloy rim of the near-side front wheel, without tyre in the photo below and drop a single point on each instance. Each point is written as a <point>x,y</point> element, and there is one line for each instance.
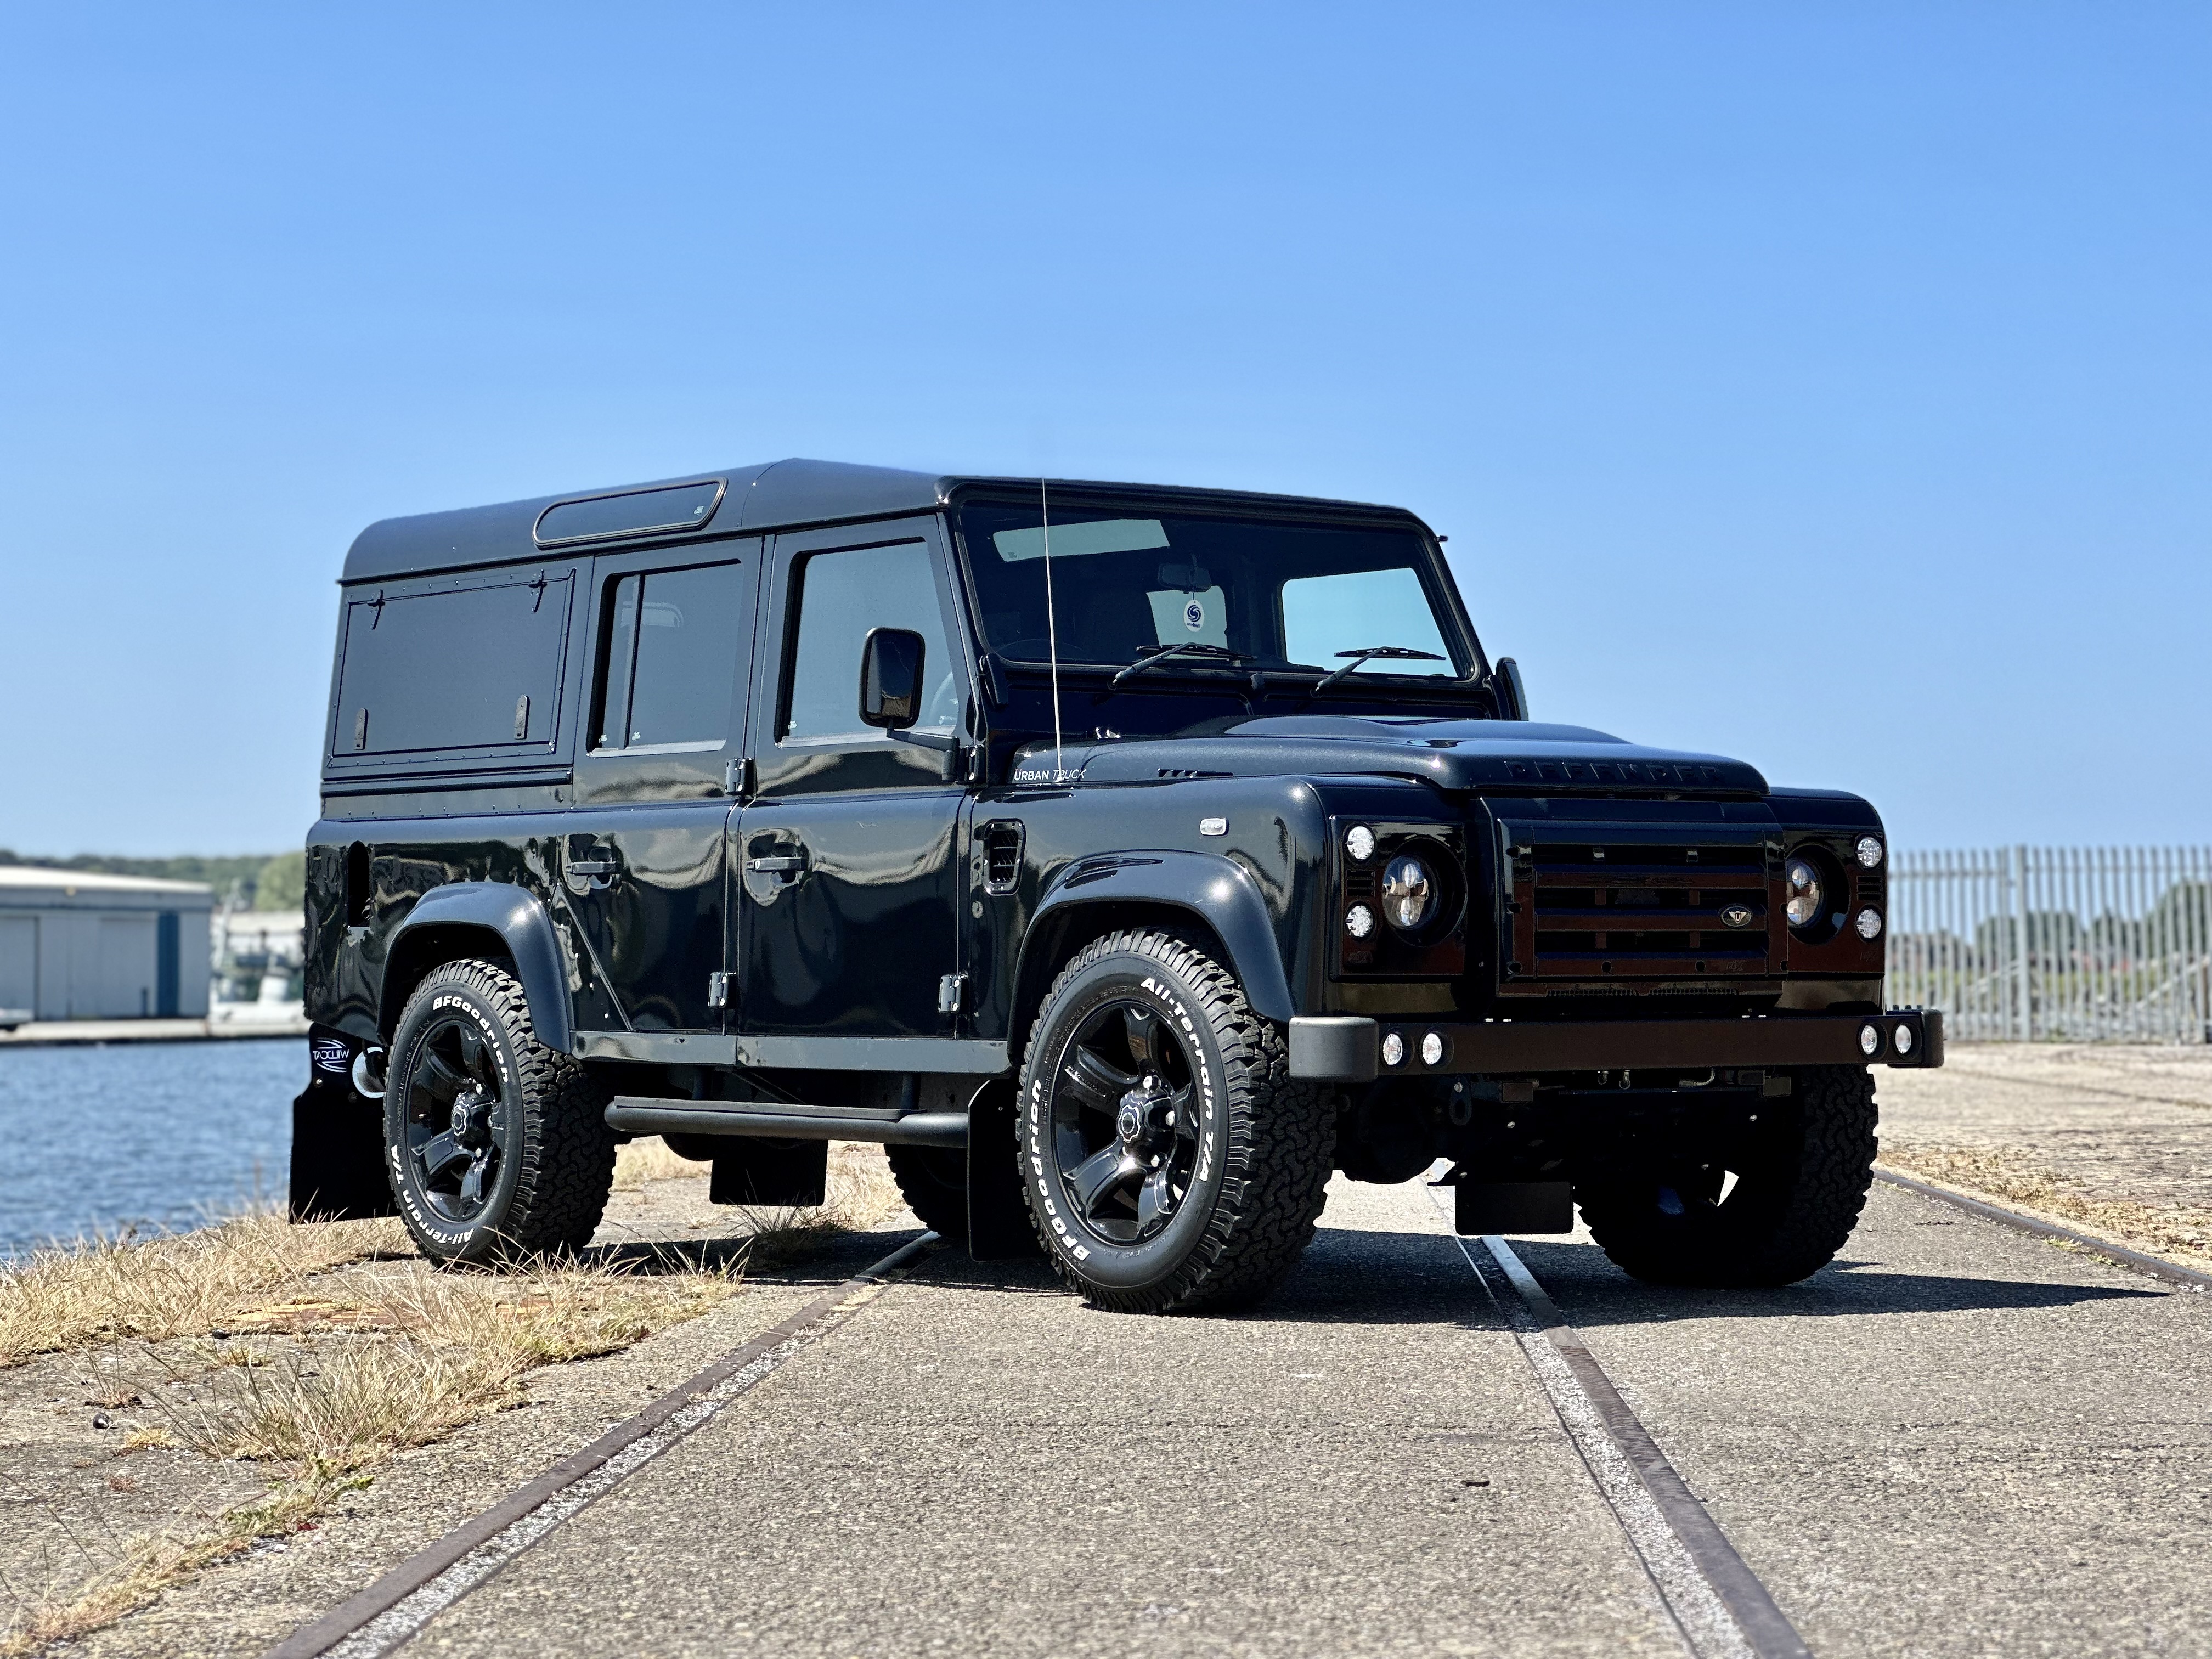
<point>1127,1123</point>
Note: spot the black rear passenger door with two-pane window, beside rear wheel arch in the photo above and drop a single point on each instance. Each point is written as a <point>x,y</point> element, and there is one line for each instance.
<point>640,862</point>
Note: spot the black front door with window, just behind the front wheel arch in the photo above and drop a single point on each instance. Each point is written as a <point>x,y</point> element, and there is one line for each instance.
<point>848,855</point>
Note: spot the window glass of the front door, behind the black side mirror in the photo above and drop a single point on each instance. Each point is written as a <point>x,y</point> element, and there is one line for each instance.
<point>842,596</point>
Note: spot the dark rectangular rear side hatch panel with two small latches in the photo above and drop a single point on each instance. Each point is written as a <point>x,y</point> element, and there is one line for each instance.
<point>457,669</point>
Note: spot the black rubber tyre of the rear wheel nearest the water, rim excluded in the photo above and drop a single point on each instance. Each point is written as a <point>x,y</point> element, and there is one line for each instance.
<point>559,1156</point>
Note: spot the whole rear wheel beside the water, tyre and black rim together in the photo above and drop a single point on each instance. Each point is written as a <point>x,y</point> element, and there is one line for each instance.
<point>494,1145</point>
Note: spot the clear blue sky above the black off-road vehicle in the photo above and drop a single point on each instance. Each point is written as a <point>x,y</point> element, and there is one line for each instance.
<point>1828,386</point>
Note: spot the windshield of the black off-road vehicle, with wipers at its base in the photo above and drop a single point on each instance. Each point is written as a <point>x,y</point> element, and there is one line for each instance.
<point>1280,596</point>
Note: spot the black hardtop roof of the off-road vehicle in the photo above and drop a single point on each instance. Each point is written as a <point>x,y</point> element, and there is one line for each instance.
<point>782,494</point>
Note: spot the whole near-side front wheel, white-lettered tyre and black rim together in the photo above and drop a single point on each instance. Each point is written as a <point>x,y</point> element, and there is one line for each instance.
<point>1167,1156</point>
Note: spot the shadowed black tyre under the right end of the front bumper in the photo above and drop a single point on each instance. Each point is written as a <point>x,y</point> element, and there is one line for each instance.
<point>1793,1209</point>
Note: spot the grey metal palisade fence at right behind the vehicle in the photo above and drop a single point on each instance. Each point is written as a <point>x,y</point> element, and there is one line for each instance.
<point>2056,943</point>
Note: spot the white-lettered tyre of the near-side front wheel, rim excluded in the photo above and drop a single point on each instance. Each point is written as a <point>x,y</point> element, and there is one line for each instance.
<point>1253,1215</point>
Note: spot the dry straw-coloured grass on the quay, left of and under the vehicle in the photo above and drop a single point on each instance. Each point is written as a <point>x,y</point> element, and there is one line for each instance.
<point>326,1381</point>
